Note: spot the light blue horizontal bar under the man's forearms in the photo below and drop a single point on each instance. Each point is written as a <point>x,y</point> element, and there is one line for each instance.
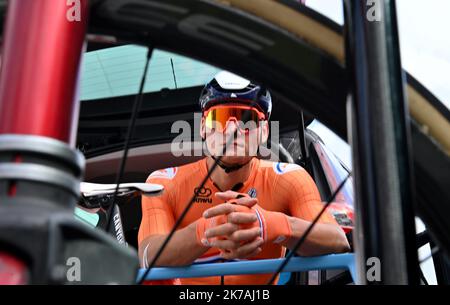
<point>333,261</point>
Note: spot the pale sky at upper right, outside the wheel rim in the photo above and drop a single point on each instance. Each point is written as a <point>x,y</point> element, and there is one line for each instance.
<point>424,39</point>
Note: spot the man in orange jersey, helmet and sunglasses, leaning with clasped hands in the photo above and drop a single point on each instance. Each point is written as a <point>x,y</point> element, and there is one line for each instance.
<point>249,208</point>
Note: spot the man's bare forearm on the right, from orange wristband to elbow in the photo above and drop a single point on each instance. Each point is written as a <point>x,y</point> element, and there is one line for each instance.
<point>323,239</point>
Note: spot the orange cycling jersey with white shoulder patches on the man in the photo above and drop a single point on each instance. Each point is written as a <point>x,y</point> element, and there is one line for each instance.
<point>279,187</point>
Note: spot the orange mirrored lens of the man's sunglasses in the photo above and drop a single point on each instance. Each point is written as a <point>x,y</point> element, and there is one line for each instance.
<point>217,118</point>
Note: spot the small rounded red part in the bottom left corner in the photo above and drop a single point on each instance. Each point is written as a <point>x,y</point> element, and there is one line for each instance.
<point>13,271</point>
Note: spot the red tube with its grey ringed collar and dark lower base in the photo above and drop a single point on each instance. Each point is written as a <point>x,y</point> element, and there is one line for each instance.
<point>40,170</point>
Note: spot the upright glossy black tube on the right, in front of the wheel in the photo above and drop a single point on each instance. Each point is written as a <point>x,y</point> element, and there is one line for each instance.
<point>380,139</point>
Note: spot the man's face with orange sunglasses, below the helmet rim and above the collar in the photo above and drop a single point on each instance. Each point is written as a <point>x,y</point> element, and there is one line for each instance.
<point>244,138</point>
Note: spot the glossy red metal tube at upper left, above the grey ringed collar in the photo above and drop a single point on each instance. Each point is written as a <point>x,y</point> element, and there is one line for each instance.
<point>41,55</point>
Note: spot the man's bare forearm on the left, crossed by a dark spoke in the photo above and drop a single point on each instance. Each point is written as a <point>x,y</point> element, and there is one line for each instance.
<point>181,250</point>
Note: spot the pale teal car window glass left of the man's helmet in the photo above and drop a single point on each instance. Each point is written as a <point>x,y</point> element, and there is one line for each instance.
<point>117,71</point>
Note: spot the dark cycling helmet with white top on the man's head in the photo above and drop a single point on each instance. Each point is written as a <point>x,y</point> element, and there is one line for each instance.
<point>227,87</point>
